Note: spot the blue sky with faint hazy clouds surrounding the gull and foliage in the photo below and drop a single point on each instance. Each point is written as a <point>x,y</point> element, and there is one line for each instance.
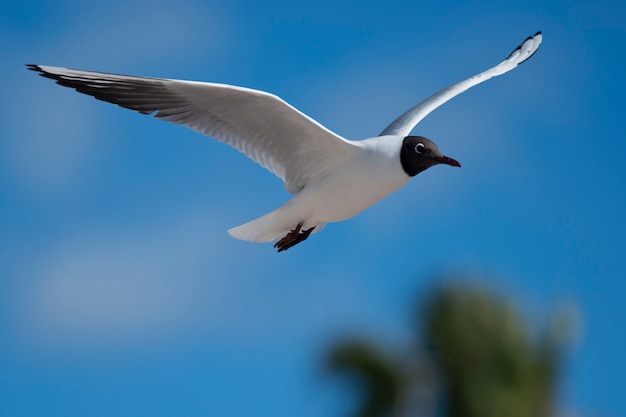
<point>122,294</point>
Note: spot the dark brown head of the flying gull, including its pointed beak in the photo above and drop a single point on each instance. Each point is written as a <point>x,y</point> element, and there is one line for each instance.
<point>418,154</point>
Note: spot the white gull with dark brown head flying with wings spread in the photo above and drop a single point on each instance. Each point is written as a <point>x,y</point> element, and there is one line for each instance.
<point>333,178</point>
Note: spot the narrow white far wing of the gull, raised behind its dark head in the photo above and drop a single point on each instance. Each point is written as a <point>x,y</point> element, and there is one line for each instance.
<point>405,123</point>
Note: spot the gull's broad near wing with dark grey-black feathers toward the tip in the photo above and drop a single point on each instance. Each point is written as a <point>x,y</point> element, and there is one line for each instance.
<point>264,127</point>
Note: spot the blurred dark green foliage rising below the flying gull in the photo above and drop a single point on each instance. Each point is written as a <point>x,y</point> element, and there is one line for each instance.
<point>477,357</point>
